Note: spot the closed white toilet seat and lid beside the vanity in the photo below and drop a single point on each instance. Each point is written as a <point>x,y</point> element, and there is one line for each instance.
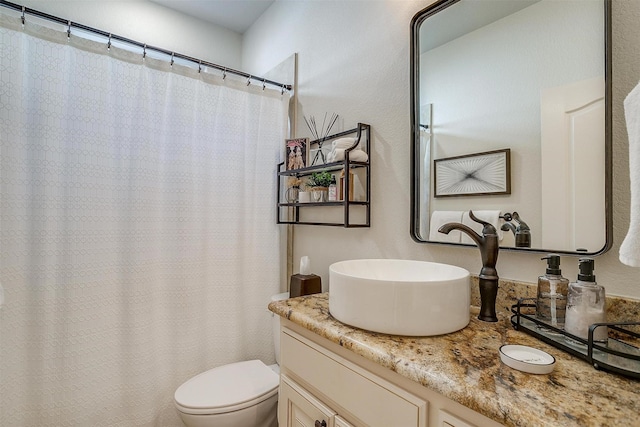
<point>227,388</point>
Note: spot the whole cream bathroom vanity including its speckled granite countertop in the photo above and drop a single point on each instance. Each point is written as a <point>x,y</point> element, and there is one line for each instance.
<point>370,379</point>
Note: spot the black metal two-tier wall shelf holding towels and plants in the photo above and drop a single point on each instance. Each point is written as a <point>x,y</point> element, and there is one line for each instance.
<point>289,213</point>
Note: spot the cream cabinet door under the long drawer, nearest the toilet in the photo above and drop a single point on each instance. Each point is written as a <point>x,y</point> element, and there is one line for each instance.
<point>298,408</point>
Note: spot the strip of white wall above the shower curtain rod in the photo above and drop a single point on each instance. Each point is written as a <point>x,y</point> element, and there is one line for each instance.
<point>150,23</point>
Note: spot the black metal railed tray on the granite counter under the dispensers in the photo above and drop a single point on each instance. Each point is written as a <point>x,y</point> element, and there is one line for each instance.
<point>620,354</point>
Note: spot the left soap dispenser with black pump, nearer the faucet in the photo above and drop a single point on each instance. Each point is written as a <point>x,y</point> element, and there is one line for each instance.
<point>551,302</point>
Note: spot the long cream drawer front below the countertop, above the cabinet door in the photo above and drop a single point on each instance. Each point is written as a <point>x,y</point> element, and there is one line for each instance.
<point>371,399</point>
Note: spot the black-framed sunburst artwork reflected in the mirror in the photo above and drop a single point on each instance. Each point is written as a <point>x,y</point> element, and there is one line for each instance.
<point>487,173</point>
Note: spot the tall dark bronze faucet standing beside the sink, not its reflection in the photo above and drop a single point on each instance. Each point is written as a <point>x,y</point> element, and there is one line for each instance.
<point>488,245</point>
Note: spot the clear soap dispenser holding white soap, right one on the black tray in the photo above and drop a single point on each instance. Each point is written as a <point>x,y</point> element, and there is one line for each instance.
<point>586,304</point>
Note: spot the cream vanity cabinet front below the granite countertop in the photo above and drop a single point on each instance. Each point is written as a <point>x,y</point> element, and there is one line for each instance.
<point>323,384</point>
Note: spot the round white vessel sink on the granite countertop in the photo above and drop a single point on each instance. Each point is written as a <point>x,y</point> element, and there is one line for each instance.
<point>400,297</point>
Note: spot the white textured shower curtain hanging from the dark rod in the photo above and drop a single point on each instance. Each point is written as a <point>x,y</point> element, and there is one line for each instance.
<point>138,236</point>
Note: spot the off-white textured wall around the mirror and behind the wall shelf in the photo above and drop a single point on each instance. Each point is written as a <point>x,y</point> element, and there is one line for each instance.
<point>354,60</point>
